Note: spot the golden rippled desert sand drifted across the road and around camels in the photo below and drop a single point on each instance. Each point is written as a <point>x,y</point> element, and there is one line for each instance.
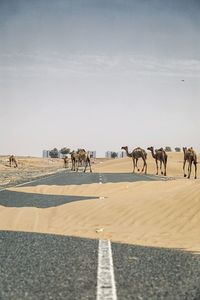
<point>163,213</point>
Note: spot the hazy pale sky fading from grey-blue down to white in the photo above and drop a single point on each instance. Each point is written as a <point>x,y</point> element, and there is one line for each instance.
<point>99,74</point>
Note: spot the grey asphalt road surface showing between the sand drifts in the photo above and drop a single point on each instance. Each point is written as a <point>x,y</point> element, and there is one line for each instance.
<point>45,266</point>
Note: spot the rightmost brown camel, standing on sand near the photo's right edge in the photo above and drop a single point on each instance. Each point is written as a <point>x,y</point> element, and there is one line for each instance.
<point>191,157</point>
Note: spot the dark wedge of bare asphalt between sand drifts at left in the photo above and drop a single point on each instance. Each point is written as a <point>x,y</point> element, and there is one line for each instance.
<point>20,199</point>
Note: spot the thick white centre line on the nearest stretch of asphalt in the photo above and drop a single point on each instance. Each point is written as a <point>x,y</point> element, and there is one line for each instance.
<point>106,289</point>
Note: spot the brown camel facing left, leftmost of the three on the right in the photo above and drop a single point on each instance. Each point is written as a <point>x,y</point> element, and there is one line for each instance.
<point>135,155</point>
